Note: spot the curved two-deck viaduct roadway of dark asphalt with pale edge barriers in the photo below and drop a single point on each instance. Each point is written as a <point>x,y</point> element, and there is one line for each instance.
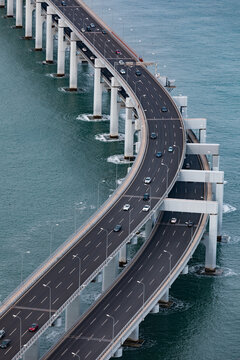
<point>59,273</point>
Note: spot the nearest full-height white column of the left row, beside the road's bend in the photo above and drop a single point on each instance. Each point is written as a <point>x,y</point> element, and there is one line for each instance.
<point>128,143</point>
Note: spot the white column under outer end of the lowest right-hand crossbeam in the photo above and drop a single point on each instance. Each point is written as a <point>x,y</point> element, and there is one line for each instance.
<point>211,244</point>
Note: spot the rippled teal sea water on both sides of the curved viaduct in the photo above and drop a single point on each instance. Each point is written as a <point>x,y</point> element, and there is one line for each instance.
<point>51,165</point>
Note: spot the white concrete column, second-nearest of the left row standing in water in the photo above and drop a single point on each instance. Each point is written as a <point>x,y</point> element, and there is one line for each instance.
<point>114,109</point>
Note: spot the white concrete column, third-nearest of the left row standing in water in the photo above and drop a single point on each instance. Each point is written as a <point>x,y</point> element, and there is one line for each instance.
<point>97,98</point>
